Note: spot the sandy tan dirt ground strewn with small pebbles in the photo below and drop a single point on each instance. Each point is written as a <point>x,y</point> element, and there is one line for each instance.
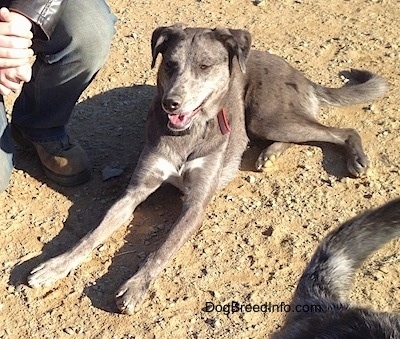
<point>258,233</point>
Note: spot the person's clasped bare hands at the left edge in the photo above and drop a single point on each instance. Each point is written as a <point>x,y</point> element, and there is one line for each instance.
<point>15,52</point>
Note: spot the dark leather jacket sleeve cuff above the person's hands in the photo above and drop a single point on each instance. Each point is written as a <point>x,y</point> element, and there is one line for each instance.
<point>44,13</point>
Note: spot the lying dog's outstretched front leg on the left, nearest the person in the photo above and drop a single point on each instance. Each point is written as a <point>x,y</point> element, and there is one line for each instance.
<point>148,176</point>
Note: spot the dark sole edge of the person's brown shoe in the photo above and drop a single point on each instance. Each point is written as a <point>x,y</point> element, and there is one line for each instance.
<point>62,180</point>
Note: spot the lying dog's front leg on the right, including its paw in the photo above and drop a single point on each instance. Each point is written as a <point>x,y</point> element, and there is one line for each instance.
<point>199,186</point>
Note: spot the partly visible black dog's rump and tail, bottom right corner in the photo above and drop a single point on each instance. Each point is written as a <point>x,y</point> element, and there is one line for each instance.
<point>326,282</point>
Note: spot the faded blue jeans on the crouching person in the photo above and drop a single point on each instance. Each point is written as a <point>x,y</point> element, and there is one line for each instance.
<point>64,66</point>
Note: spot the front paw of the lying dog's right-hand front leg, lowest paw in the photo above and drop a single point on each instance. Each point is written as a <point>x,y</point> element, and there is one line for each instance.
<point>131,294</point>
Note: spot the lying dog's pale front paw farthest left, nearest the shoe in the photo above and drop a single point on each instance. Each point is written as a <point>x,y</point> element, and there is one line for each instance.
<point>49,272</point>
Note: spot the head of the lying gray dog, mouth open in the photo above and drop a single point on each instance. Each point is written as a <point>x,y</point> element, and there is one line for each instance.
<point>196,68</point>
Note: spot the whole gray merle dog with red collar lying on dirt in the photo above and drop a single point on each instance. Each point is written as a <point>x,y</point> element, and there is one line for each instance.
<point>211,87</point>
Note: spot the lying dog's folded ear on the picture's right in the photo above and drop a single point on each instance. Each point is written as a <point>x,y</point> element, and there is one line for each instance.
<point>238,43</point>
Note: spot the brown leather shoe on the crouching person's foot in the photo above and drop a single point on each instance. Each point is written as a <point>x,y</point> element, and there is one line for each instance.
<point>63,161</point>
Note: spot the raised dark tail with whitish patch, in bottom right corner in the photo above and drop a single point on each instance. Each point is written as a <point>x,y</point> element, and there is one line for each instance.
<point>330,272</point>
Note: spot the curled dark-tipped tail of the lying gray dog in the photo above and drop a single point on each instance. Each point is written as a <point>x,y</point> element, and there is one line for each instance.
<point>363,86</point>
